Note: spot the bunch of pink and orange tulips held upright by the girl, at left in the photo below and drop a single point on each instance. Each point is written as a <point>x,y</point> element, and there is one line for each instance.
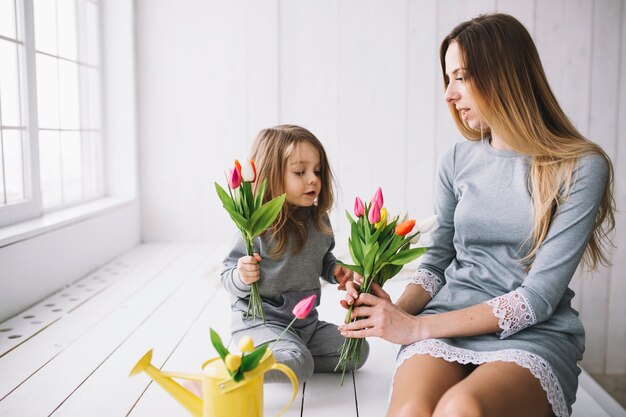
<point>250,214</point>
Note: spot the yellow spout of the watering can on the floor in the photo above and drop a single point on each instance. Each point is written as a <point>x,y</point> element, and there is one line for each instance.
<point>187,399</point>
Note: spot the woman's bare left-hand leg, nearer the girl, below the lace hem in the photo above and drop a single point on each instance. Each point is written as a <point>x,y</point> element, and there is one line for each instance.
<point>420,382</point>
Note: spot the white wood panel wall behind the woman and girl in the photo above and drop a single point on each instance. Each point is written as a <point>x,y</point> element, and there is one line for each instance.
<point>364,77</point>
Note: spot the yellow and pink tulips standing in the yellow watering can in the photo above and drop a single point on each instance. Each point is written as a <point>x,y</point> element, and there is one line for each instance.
<point>249,358</point>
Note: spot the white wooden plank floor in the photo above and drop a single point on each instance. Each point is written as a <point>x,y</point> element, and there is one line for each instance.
<point>70,354</point>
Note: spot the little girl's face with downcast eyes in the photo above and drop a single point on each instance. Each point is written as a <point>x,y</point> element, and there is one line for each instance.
<point>302,176</point>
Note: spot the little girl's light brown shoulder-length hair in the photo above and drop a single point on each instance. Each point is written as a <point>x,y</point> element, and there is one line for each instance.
<point>270,152</point>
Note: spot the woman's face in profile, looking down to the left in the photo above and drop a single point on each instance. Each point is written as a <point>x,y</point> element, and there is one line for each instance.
<point>457,92</point>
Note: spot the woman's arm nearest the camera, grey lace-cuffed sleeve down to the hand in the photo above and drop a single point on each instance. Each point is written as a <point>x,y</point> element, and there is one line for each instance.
<point>539,293</point>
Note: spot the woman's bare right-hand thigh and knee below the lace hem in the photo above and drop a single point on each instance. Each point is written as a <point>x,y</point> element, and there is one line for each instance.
<point>496,389</point>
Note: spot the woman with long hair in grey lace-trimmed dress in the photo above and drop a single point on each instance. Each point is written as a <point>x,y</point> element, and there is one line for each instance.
<point>486,324</point>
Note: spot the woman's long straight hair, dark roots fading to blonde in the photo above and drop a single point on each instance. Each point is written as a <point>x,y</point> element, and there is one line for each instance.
<point>503,71</point>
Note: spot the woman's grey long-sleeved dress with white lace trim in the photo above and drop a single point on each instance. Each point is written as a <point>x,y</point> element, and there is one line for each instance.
<point>484,214</point>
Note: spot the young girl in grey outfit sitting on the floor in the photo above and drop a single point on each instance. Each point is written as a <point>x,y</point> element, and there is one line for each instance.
<point>291,256</point>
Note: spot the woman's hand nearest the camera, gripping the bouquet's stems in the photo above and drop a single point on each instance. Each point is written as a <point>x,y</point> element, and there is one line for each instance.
<point>381,318</point>
